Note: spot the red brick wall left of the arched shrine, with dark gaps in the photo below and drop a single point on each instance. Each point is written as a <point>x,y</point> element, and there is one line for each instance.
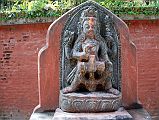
<point>19,47</point>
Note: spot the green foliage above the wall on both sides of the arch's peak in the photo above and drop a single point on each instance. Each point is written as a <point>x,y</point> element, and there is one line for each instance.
<point>48,8</point>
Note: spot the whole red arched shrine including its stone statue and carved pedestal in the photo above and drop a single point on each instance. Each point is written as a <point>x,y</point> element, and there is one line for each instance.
<point>94,48</point>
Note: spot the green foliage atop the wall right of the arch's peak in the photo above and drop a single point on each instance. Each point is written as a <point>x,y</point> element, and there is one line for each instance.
<point>130,8</point>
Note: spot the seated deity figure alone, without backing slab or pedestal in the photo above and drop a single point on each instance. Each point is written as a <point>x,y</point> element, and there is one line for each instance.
<point>94,70</point>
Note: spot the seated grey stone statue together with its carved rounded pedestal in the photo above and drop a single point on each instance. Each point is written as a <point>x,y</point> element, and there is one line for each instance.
<point>87,66</point>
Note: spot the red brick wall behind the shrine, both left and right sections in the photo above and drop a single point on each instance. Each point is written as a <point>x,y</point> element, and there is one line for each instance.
<point>19,46</point>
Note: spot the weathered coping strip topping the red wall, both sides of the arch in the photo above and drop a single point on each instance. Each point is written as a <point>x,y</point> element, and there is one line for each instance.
<point>51,19</point>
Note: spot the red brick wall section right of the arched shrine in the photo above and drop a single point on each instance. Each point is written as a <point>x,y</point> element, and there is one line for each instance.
<point>146,38</point>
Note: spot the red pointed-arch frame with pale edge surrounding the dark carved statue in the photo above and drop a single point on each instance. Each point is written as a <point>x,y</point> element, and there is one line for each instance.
<point>49,62</point>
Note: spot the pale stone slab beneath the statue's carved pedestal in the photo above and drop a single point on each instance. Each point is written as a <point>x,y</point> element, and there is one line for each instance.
<point>117,115</point>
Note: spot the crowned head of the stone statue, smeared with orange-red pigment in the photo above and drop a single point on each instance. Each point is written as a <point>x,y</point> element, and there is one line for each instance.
<point>89,22</point>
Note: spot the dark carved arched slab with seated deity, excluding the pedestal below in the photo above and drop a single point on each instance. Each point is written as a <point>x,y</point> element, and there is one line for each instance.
<point>90,52</point>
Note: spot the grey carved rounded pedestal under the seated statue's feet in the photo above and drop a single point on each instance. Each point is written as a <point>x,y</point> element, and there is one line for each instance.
<point>89,102</point>
